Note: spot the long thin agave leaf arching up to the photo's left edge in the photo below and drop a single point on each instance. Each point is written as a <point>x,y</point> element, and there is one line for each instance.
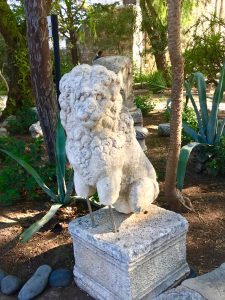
<point>33,173</point>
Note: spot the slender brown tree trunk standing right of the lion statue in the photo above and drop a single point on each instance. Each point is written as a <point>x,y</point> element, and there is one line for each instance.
<point>173,196</point>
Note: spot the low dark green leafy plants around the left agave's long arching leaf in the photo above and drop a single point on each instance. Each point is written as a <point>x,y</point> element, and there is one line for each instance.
<point>15,183</point>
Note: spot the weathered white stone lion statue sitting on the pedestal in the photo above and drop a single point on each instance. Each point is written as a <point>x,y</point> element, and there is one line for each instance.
<point>101,144</point>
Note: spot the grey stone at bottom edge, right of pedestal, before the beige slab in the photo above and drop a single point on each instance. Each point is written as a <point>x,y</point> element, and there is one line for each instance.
<point>180,293</point>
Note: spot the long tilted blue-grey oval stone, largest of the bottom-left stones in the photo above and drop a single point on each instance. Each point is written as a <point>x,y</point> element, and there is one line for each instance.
<point>36,284</point>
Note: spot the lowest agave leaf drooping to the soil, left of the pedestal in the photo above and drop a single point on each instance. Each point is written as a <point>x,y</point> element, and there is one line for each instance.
<point>29,232</point>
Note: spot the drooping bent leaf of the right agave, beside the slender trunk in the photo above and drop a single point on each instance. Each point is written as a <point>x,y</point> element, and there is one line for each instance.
<point>182,163</point>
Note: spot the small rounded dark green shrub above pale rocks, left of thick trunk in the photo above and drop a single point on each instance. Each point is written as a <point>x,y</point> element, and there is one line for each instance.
<point>24,119</point>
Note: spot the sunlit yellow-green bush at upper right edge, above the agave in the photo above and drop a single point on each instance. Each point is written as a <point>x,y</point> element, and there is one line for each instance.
<point>206,49</point>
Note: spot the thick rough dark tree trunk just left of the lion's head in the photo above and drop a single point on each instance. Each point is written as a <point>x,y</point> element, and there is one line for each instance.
<point>41,70</point>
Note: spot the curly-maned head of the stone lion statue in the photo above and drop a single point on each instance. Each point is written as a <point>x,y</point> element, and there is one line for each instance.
<point>91,95</point>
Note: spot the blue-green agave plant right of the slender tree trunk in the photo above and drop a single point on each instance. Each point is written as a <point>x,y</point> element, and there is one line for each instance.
<point>210,129</point>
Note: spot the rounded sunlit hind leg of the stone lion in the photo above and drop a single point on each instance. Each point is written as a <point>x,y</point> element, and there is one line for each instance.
<point>142,193</point>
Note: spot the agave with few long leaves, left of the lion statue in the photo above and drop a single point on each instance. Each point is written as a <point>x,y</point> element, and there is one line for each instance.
<point>64,193</point>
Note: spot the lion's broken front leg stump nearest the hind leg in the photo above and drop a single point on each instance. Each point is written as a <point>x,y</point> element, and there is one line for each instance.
<point>109,188</point>
